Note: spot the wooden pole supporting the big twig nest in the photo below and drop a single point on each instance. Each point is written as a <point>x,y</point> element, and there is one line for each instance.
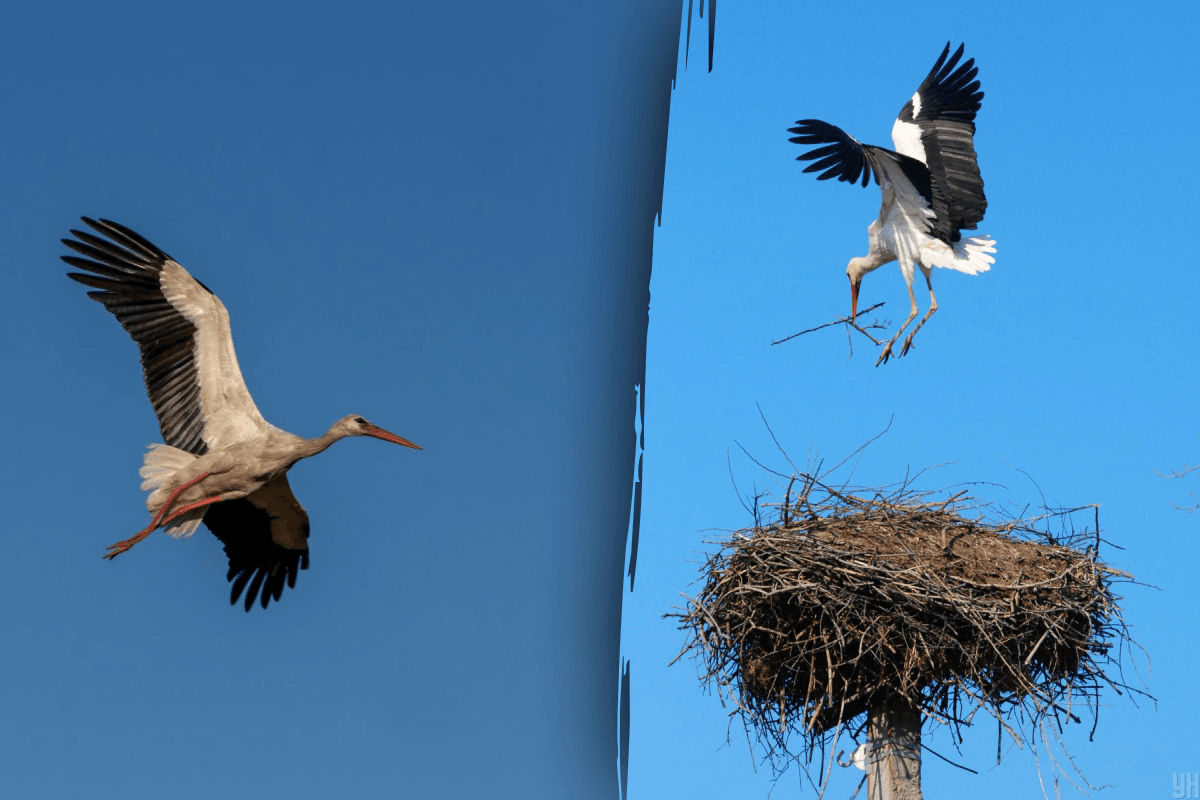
<point>893,756</point>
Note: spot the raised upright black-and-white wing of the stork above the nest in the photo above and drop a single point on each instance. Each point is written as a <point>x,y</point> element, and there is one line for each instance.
<point>938,129</point>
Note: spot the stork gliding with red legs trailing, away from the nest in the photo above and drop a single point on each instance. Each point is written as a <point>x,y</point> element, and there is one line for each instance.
<point>223,464</point>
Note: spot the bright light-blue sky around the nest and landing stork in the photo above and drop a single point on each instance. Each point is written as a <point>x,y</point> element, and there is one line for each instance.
<point>1073,359</point>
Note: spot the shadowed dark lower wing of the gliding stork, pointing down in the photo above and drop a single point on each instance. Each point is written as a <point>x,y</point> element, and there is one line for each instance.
<point>266,538</point>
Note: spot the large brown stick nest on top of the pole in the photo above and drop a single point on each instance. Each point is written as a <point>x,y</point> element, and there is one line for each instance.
<point>850,598</point>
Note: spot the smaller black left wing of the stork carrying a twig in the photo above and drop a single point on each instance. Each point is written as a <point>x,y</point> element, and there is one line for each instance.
<point>849,160</point>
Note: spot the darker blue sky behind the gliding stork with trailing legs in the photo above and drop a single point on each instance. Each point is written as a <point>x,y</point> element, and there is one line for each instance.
<point>409,210</point>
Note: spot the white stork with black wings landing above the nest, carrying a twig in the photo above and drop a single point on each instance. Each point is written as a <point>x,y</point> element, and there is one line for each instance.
<point>931,184</point>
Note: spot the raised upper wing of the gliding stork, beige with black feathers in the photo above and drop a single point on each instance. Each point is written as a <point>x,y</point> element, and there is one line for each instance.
<point>183,332</point>
